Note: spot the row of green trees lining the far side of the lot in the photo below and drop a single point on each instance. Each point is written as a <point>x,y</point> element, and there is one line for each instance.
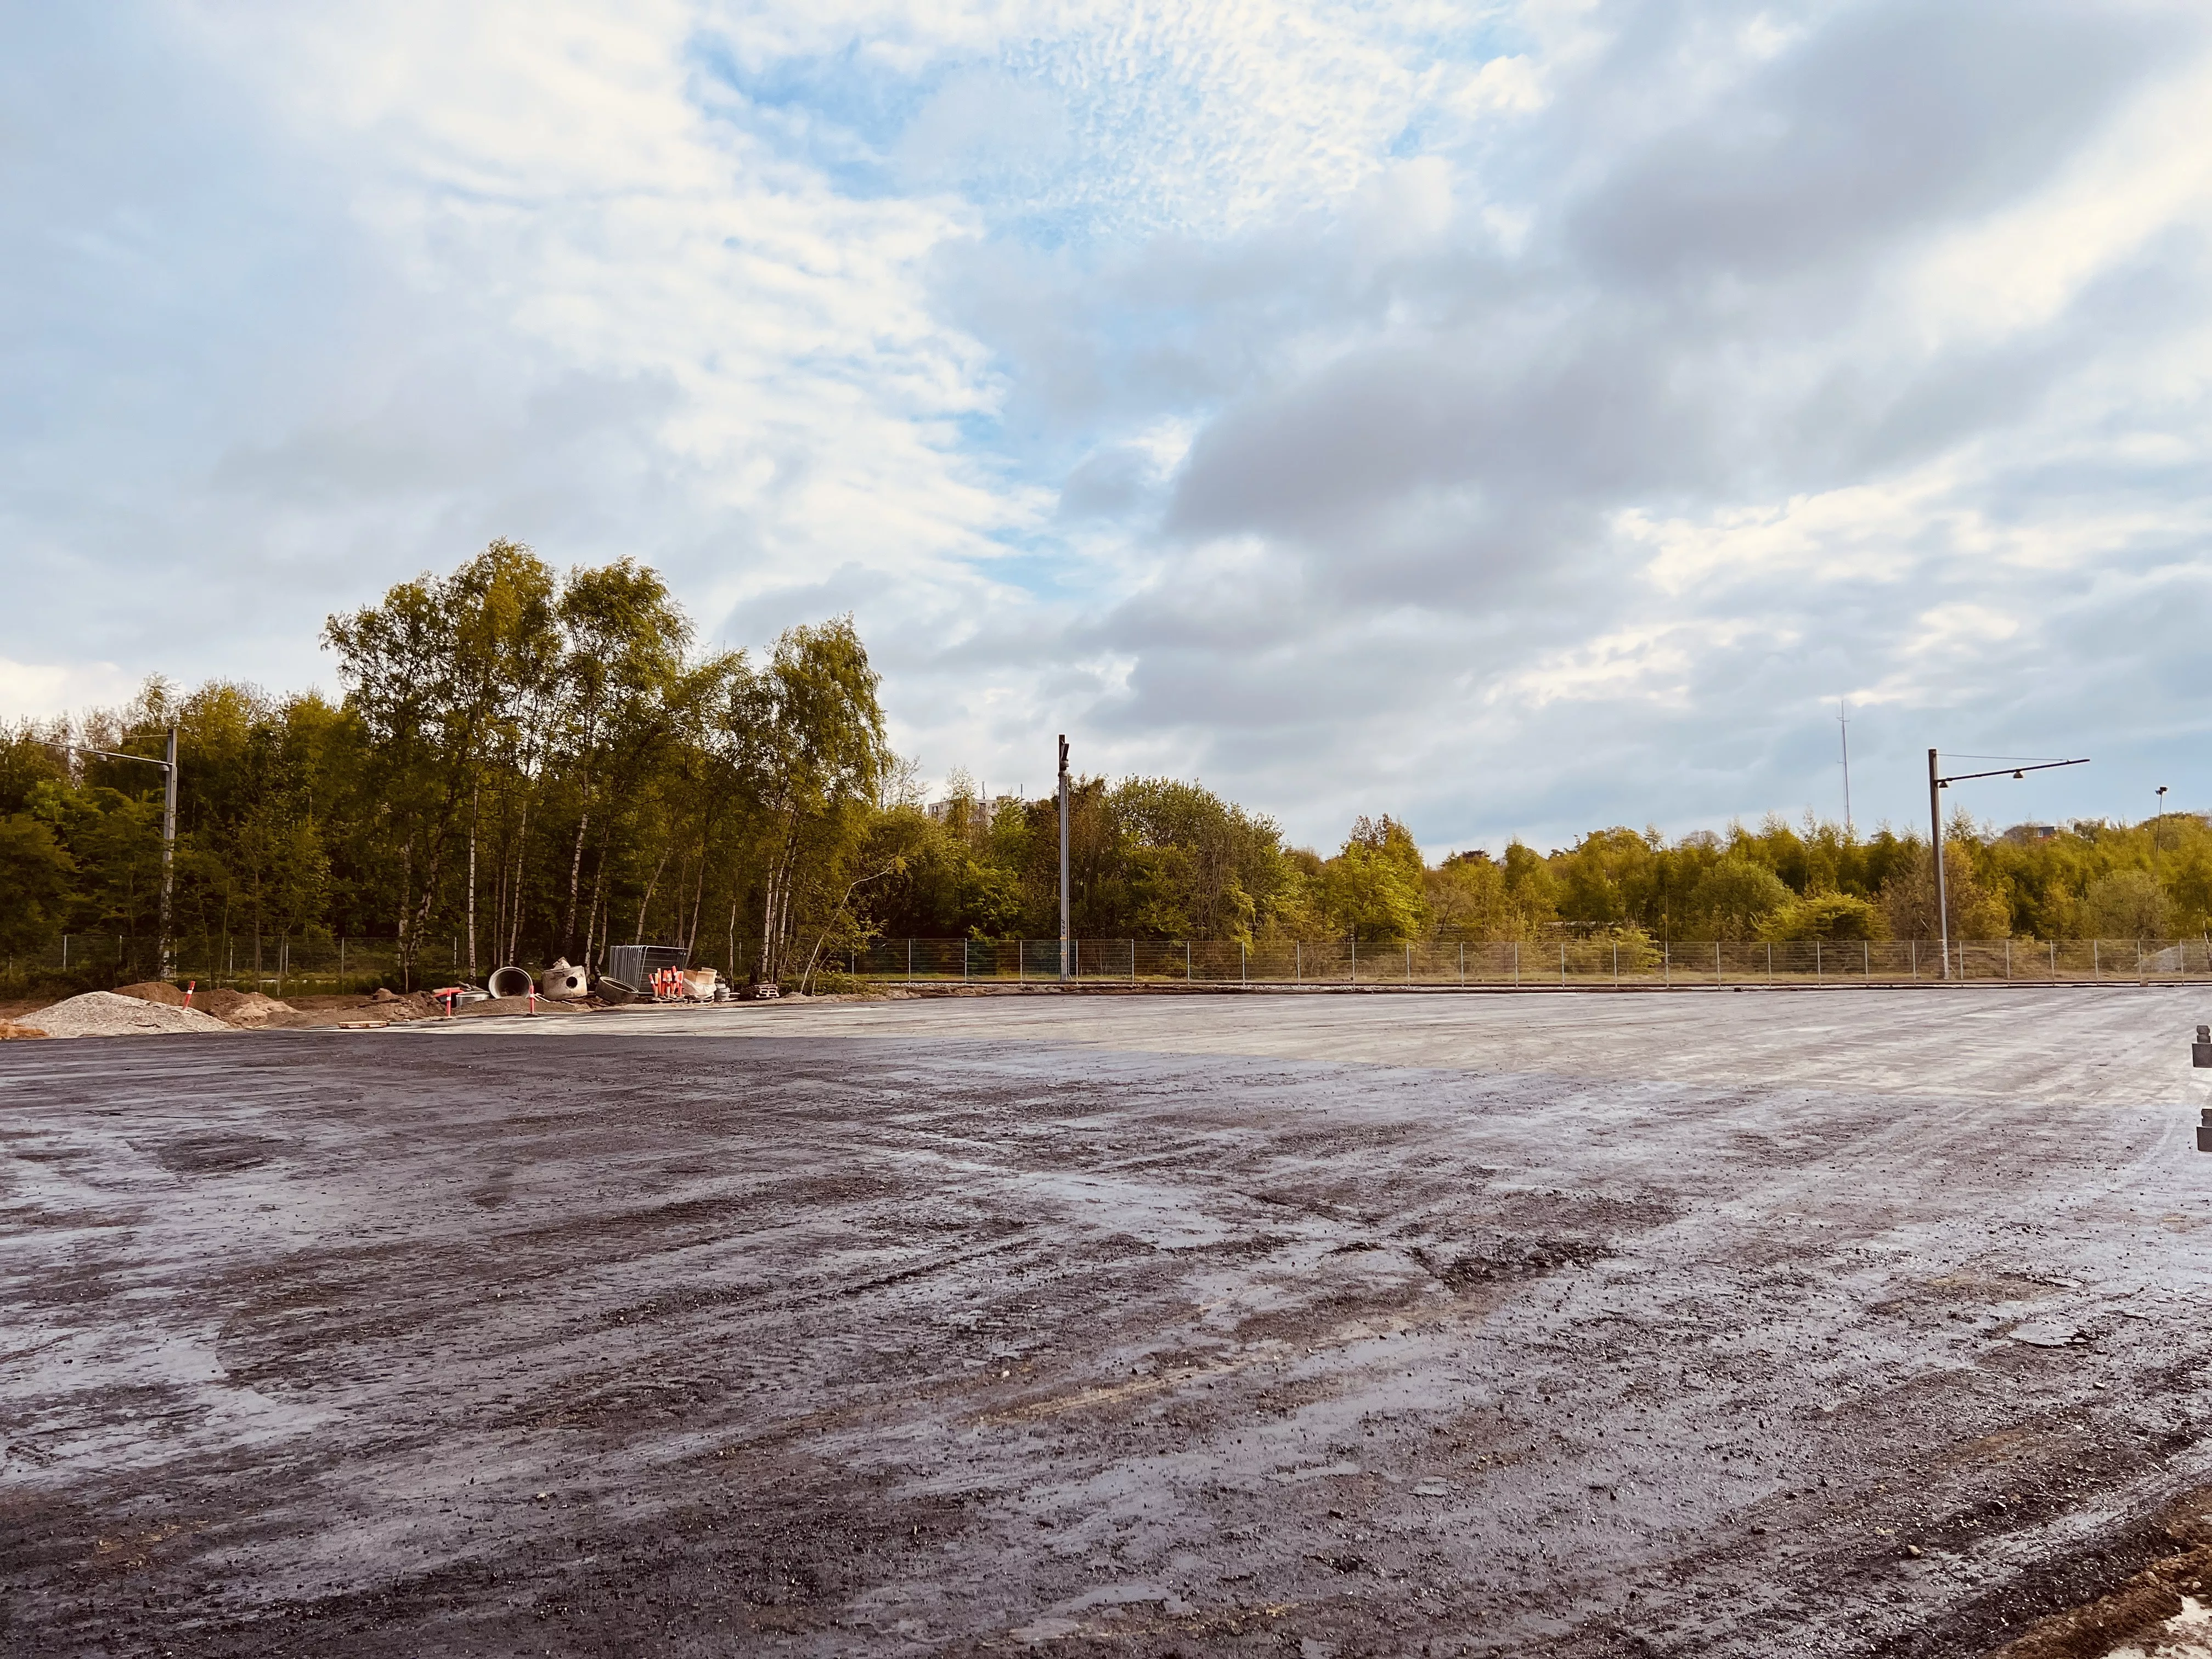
<point>543,764</point>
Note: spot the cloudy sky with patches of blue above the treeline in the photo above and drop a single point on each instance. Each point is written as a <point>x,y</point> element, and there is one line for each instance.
<point>1516,419</point>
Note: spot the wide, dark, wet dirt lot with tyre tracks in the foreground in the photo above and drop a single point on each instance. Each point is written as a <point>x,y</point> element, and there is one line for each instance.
<point>1552,1326</point>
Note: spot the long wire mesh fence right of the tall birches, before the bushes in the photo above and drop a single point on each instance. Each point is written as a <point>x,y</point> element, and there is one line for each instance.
<point>1534,963</point>
